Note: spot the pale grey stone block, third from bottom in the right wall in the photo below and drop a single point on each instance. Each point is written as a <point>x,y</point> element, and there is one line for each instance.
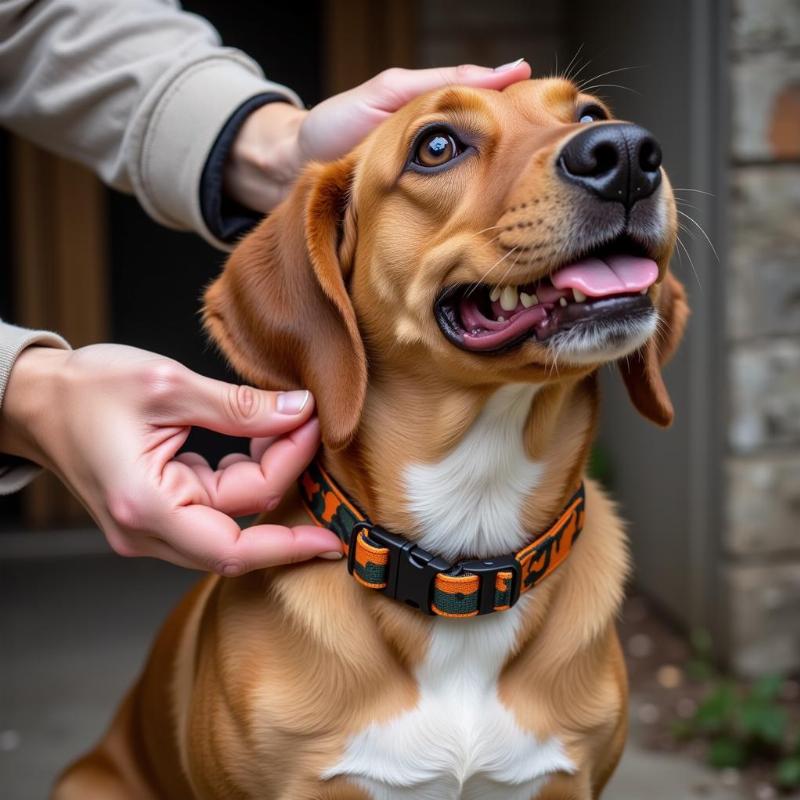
<point>765,395</point>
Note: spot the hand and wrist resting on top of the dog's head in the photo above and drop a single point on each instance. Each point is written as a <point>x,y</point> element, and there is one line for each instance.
<point>277,139</point>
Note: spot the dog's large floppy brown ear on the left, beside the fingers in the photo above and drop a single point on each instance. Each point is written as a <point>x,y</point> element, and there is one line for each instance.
<point>280,311</point>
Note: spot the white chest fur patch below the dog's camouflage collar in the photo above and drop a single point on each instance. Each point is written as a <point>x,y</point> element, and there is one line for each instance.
<point>459,742</point>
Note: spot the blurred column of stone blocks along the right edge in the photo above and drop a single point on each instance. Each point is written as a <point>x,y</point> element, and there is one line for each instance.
<point>762,532</point>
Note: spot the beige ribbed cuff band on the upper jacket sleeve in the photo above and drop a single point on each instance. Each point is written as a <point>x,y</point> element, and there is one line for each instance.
<point>186,119</point>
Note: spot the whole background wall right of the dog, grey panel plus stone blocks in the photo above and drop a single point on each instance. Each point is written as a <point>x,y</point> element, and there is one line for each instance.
<point>714,504</point>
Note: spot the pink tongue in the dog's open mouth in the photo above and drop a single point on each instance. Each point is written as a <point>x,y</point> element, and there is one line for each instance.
<point>614,275</point>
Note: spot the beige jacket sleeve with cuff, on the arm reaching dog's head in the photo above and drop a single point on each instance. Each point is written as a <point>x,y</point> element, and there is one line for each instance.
<point>137,90</point>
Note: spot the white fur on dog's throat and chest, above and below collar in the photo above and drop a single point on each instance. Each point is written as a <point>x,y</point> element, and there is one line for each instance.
<point>460,742</point>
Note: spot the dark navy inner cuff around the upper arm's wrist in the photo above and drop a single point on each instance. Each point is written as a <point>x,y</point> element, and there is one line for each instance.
<point>226,219</point>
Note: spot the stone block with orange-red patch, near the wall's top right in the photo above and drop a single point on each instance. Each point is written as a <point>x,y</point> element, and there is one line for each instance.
<point>765,100</point>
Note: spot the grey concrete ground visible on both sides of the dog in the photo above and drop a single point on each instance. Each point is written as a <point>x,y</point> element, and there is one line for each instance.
<point>75,626</point>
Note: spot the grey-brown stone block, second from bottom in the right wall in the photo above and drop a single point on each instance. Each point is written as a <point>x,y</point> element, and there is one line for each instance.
<point>763,499</point>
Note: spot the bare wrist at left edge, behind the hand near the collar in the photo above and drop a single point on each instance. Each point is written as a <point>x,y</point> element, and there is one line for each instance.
<point>31,398</point>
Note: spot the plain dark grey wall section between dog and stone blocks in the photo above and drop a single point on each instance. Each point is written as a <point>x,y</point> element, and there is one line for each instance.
<point>667,482</point>
